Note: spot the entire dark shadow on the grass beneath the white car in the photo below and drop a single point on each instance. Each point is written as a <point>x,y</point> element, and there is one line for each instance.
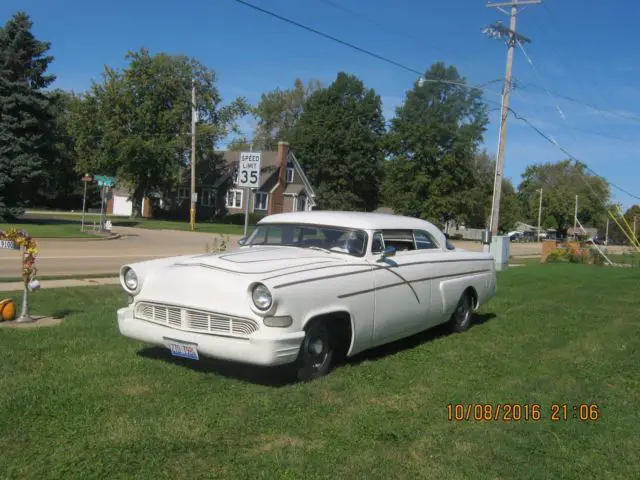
<point>283,375</point>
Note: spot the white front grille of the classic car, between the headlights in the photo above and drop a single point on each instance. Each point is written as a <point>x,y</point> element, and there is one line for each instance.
<point>195,320</point>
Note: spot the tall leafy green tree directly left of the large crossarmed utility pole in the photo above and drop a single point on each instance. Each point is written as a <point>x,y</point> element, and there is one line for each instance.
<point>432,143</point>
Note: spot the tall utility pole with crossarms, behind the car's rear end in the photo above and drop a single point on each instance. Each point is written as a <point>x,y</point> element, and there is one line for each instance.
<point>497,30</point>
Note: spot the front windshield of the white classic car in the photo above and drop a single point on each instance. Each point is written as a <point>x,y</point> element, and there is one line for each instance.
<point>334,239</point>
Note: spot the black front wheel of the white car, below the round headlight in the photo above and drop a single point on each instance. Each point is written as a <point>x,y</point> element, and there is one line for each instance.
<point>317,352</point>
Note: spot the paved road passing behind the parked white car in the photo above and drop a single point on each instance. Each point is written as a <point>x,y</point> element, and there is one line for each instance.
<point>78,257</point>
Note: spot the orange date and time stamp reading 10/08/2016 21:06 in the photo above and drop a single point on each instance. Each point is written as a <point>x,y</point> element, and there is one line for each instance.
<point>516,412</point>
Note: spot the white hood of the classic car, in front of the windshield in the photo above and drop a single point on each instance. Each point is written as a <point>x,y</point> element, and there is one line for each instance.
<point>262,260</point>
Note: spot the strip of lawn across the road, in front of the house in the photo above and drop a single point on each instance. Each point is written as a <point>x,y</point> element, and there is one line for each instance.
<point>65,225</point>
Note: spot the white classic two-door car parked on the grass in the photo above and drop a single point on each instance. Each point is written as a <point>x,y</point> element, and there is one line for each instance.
<point>306,287</point>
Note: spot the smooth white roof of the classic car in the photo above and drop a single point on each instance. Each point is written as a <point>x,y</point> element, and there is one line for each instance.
<point>360,220</point>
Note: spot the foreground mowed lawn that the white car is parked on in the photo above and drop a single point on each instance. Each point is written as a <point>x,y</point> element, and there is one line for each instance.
<point>80,401</point>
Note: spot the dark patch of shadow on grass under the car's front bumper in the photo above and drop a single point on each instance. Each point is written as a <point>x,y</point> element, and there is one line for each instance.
<point>267,376</point>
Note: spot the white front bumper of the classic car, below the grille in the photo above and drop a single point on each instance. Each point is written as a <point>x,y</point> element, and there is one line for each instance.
<point>268,347</point>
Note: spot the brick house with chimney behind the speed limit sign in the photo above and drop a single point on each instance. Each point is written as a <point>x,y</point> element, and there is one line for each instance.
<point>283,187</point>
